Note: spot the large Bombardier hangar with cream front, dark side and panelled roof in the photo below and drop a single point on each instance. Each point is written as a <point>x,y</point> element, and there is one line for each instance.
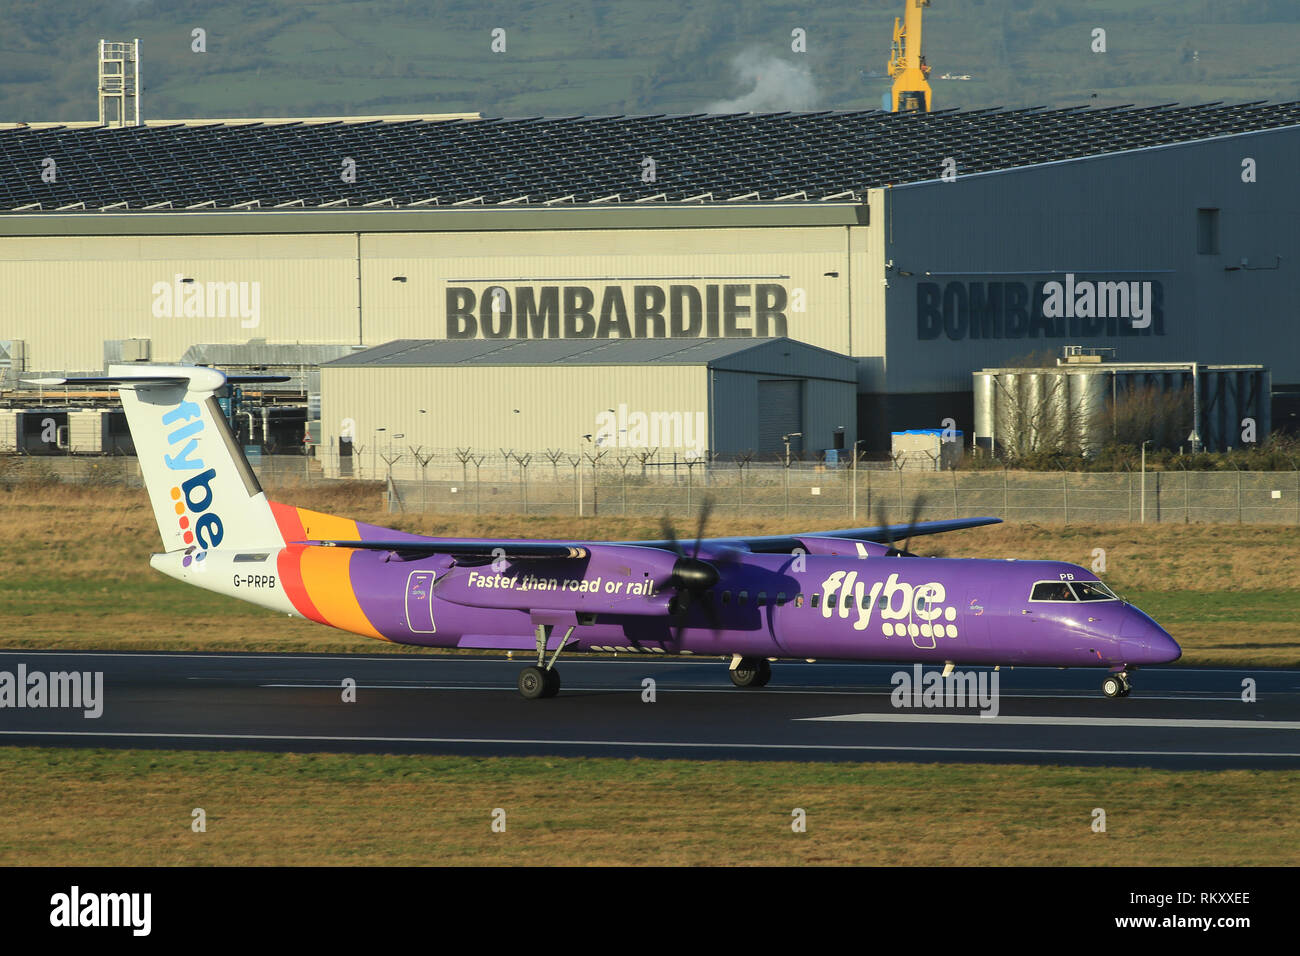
<point>921,246</point>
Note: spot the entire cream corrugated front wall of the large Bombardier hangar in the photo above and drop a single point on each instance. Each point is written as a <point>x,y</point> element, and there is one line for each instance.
<point>67,296</point>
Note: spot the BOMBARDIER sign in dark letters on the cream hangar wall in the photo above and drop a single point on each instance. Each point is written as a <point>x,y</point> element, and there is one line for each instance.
<point>649,312</point>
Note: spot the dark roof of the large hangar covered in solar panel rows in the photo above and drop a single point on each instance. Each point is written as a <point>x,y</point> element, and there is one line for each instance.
<point>765,157</point>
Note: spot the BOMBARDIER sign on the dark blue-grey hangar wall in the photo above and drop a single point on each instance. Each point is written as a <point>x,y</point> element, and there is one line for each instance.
<point>1067,309</point>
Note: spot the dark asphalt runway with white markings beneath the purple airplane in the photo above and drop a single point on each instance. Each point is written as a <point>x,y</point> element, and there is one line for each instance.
<point>1177,717</point>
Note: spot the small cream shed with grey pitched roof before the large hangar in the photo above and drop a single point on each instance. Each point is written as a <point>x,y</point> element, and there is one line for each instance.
<point>683,396</point>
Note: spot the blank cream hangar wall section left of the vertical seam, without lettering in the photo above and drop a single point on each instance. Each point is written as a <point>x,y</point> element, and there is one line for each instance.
<point>68,296</point>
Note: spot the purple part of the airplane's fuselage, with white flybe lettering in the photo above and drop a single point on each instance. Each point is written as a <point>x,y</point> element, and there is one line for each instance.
<point>967,612</point>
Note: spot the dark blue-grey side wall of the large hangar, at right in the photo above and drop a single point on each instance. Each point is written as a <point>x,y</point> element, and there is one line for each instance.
<point>1129,217</point>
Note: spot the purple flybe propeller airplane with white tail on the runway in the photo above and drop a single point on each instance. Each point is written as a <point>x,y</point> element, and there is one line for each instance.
<point>842,595</point>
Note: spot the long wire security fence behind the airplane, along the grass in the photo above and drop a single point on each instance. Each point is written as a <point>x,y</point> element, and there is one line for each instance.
<point>625,486</point>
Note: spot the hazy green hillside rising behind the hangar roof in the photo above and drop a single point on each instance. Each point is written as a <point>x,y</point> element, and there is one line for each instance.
<point>309,58</point>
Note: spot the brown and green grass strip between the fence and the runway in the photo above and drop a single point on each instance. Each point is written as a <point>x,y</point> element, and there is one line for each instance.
<point>75,568</point>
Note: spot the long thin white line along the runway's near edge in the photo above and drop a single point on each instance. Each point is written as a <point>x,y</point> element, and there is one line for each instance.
<point>640,743</point>
